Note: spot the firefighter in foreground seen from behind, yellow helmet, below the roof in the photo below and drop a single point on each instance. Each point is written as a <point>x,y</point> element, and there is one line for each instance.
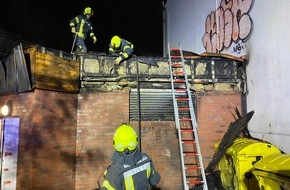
<point>131,169</point>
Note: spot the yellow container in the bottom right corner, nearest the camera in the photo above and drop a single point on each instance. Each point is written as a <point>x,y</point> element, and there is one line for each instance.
<point>273,172</point>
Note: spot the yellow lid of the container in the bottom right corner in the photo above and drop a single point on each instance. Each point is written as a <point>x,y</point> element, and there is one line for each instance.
<point>275,163</point>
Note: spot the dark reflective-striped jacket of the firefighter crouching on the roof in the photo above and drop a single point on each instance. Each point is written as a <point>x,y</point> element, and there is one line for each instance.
<point>125,50</point>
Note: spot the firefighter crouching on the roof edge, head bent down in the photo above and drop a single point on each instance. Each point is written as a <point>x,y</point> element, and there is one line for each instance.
<point>122,47</point>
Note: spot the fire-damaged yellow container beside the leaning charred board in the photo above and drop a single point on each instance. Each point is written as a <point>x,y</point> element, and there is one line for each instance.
<point>237,164</point>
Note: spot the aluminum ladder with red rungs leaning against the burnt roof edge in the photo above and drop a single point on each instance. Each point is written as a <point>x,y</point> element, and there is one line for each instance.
<point>193,172</point>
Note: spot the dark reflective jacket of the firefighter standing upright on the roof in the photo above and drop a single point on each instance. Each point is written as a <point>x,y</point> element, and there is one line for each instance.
<point>83,26</point>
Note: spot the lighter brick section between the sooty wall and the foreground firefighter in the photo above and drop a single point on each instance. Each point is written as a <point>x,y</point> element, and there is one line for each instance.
<point>99,114</point>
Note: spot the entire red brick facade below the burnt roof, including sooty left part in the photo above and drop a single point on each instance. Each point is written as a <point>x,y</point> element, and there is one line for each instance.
<point>66,139</point>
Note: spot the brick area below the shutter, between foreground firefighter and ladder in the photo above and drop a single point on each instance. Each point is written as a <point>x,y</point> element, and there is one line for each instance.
<point>159,140</point>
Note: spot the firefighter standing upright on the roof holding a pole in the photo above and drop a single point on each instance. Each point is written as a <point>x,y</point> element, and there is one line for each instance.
<point>82,26</point>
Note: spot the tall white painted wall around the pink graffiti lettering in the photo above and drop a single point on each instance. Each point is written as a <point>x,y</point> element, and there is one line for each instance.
<point>268,50</point>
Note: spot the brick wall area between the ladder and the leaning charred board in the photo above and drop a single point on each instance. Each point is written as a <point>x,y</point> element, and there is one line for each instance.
<point>215,112</point>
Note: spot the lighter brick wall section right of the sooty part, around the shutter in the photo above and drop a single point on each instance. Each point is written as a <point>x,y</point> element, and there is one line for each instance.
<point>99,114</point>
